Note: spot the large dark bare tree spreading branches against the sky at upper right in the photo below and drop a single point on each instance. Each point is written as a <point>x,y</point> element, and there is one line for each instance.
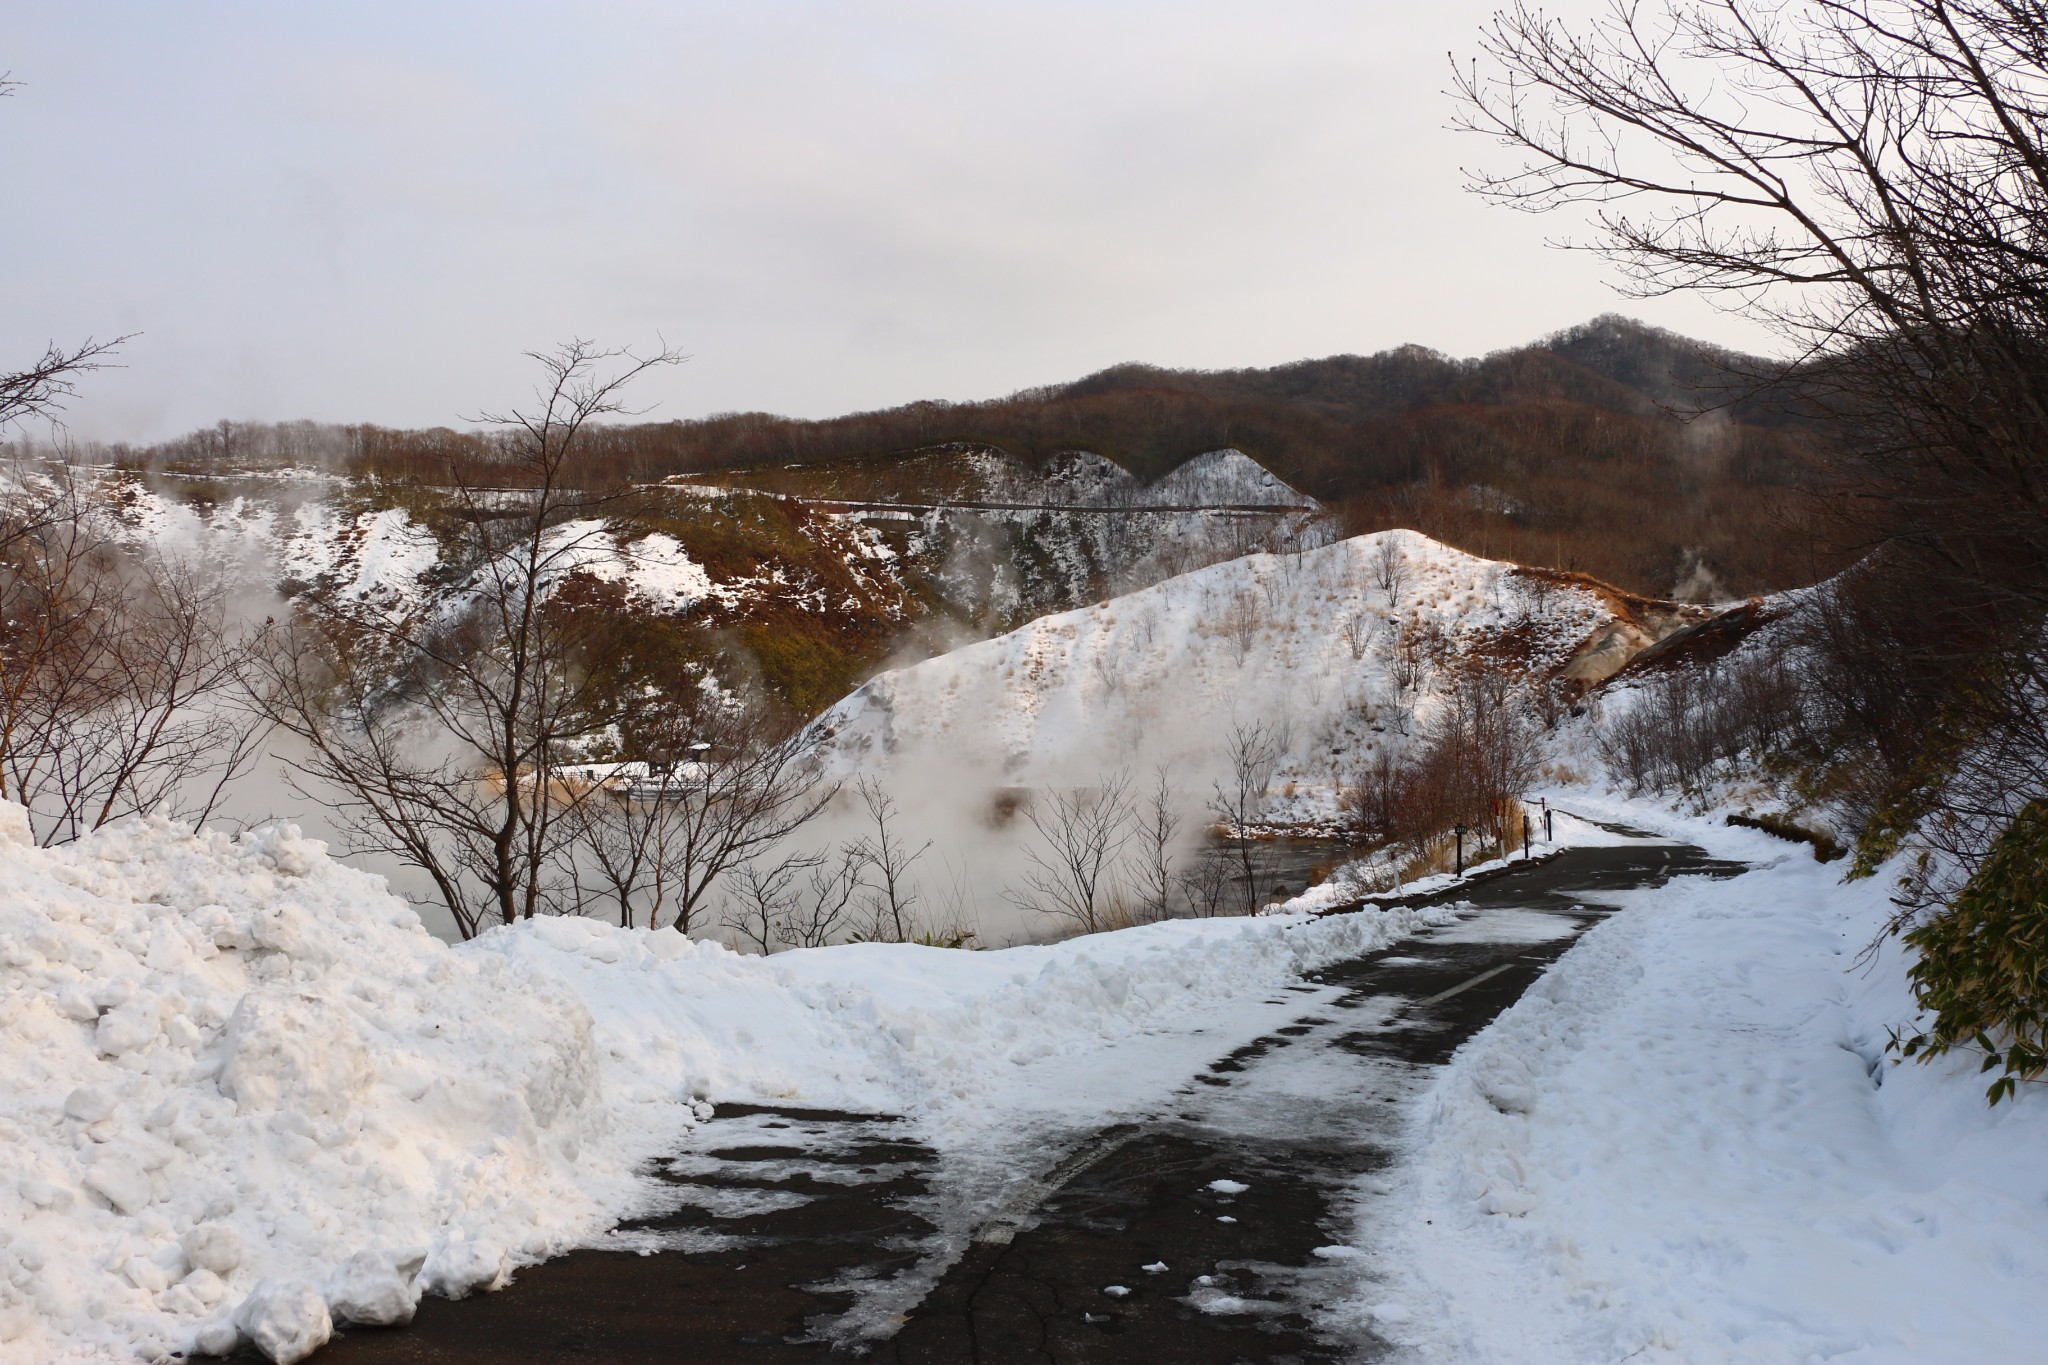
<point>1871,181</point>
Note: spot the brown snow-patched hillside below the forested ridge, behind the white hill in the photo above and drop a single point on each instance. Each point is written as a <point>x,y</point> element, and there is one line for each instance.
<point>968,535</point>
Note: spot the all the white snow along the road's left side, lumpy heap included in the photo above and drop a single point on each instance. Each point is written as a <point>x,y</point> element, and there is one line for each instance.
<point>245,1094</point>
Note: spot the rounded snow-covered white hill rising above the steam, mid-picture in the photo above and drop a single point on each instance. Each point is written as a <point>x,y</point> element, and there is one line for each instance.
<point>1312,646</point>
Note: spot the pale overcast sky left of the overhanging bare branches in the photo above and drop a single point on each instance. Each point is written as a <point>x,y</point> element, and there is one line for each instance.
<point>366,212</point>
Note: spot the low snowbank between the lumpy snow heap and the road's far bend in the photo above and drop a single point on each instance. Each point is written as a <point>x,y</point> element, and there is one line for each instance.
<point>927,1032</point>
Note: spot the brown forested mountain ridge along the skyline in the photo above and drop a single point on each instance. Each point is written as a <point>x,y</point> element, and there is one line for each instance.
<point>1613,449</point>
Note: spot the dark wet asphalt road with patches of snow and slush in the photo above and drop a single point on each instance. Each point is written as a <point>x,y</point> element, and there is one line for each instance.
<point>830,1237</point>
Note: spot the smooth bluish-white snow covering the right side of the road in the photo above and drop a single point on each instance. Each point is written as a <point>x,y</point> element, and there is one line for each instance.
<point>1687,1145</point>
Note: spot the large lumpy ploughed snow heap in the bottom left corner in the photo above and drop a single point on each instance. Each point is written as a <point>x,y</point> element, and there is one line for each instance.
<point>245,1092</point>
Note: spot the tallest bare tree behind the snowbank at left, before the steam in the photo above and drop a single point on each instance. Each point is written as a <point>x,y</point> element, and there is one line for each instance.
<point>443,732</point>
